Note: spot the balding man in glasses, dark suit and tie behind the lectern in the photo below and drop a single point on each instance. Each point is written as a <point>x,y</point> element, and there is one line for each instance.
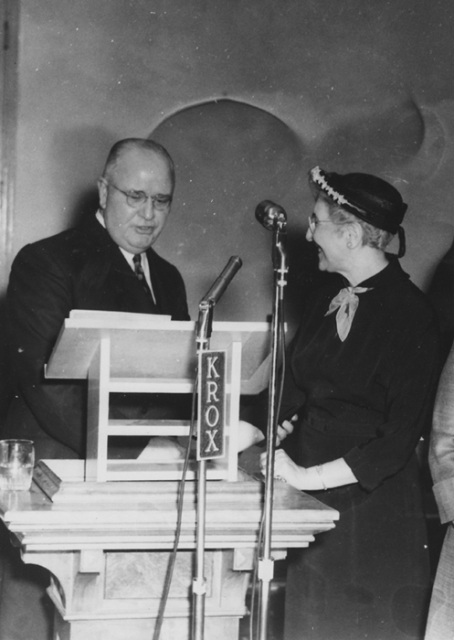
<point>90,267</point>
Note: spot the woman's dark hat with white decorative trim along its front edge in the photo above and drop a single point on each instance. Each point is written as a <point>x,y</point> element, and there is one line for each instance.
<point>370,198</point>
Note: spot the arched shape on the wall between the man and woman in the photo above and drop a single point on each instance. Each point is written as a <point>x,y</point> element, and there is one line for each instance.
<point>230,156</point>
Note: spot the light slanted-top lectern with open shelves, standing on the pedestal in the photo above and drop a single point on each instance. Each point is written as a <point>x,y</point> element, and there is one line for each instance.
<point>140,353</point>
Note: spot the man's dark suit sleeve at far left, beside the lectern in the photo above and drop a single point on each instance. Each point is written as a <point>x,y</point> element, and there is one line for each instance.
<point>39,300</point>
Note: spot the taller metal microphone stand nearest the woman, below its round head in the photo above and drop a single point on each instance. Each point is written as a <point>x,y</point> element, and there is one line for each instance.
<point>266,562</point>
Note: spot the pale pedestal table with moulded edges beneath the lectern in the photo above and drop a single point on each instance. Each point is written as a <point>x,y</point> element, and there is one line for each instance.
<point>107,547</point>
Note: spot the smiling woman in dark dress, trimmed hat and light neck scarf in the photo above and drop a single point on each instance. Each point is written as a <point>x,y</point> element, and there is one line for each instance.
<point>360,379</point>
